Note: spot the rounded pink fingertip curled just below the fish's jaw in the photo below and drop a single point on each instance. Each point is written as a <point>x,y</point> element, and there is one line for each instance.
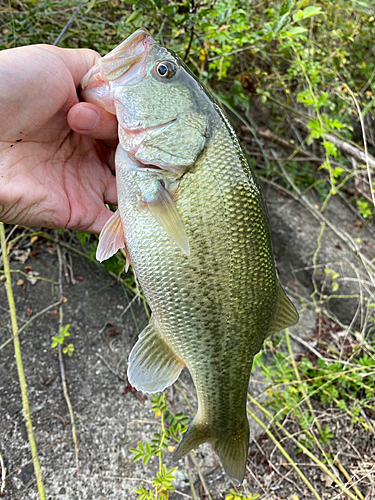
<point>88,119</point>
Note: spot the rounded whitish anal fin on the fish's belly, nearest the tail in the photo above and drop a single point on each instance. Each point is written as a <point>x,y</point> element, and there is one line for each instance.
<point>152,364</point>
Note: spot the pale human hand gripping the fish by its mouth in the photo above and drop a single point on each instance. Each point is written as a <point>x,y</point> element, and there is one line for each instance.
<point>56,154</point>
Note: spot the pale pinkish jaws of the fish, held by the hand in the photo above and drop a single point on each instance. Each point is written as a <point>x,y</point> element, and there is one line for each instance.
<point>124,65</point>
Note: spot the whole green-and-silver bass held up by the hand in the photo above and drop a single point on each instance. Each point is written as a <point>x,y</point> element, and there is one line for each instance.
<point>193,222</point>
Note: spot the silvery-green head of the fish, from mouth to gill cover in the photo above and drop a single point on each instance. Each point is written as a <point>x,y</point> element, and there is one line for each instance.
<point>161,107</point>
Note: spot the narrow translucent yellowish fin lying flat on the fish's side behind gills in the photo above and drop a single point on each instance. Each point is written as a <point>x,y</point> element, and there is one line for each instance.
<point>164,209</point>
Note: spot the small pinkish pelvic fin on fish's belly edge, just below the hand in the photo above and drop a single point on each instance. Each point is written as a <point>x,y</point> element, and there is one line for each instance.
<point>111,239</point>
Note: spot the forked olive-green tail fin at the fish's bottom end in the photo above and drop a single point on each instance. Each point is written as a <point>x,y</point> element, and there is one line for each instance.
<point>231,448</point>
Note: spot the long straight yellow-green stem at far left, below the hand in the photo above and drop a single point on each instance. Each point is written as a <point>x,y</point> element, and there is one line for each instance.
<point>19,363</point>
